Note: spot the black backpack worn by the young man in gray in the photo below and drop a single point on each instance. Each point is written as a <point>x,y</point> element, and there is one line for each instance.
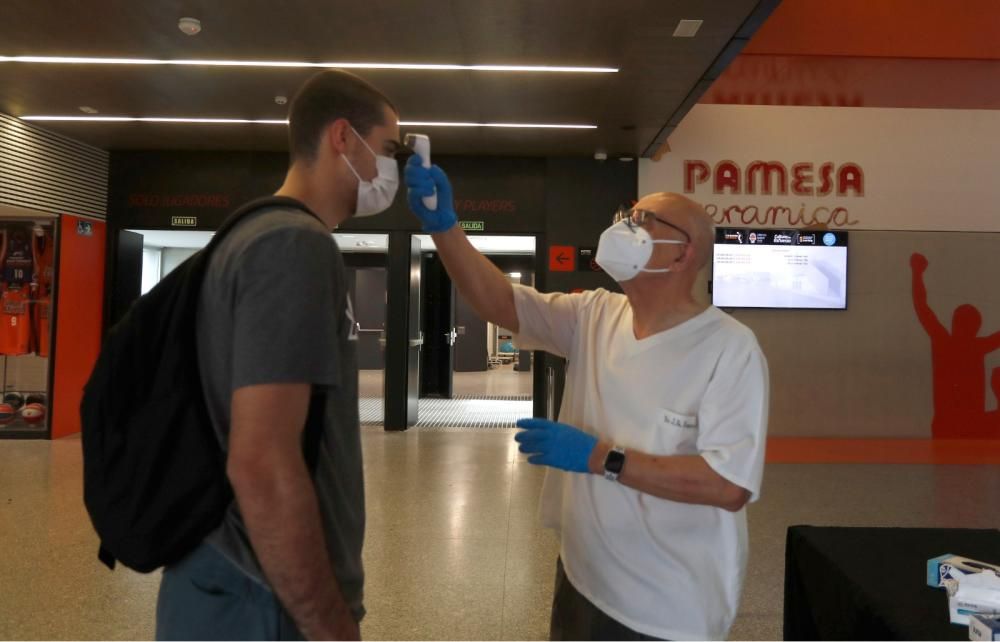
<point>154,472</point>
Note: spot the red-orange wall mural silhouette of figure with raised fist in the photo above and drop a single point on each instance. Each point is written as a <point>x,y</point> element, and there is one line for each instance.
<point>959,366</point>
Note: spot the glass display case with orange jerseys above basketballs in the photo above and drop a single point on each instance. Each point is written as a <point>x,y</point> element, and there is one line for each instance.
<point>27,286</point>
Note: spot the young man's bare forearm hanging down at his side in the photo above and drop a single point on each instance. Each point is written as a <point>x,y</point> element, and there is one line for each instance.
<point>280,509</point>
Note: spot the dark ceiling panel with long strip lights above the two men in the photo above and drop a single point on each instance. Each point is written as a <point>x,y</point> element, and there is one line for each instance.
<point>630,108</point>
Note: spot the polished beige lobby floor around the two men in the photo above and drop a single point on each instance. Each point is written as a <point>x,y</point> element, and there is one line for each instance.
<point>453,550</point>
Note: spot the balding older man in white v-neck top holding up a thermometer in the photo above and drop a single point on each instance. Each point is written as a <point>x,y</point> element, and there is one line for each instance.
<point>664,418</point>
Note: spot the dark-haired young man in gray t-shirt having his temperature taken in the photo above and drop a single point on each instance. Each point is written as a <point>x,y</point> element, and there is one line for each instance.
<point>275,327</point>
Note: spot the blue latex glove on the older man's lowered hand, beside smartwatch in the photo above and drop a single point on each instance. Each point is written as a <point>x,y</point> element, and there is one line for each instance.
<point>550,443</point>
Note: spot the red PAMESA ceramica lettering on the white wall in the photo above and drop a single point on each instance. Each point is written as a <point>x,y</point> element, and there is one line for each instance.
<point>803,181</point>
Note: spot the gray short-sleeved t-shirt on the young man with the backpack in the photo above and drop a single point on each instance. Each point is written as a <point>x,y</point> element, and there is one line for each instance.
<point>274,308</point>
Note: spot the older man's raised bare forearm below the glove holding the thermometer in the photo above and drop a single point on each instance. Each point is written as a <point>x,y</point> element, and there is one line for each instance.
<point>480,282</point>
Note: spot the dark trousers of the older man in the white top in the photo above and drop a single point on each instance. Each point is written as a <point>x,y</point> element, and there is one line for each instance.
<point>574,617</point>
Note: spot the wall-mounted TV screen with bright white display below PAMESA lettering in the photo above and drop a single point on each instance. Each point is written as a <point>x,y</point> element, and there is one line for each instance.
<point>779,269</point>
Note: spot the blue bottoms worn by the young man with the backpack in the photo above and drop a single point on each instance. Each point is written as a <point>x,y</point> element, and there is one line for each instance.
<point>206,597</point>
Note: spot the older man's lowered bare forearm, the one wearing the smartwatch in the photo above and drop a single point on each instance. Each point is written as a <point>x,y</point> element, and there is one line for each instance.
<point>680,478</point>
